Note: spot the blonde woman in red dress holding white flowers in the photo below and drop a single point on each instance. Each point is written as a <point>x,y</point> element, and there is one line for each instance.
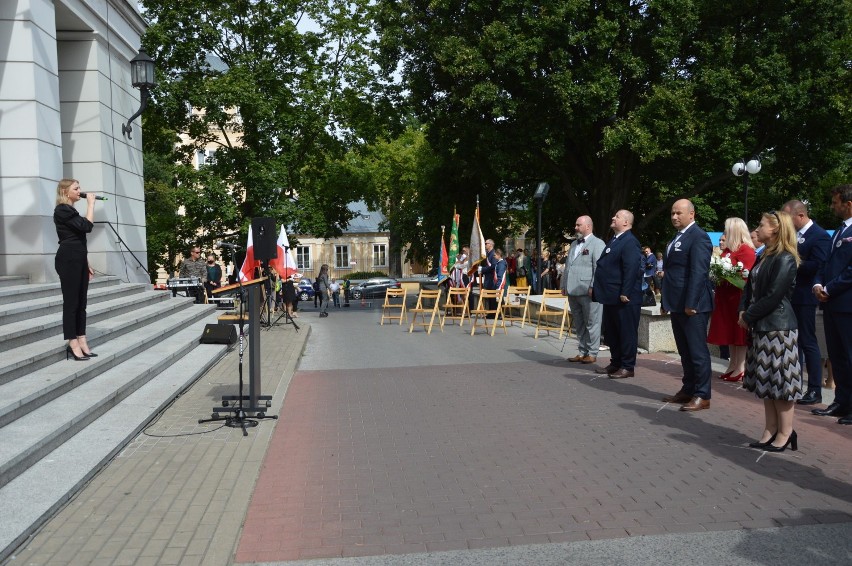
<point>724,329</point>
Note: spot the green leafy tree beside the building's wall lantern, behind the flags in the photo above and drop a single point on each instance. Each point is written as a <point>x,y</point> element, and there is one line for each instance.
<point>281,89</point>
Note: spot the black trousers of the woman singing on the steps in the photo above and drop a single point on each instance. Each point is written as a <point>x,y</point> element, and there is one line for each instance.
<point>73,268</point>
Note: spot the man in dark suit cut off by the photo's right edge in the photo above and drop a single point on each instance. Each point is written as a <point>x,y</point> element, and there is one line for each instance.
<point>833,288</point>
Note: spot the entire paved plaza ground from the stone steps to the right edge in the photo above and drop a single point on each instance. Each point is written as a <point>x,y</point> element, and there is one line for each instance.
<point>398,448</point>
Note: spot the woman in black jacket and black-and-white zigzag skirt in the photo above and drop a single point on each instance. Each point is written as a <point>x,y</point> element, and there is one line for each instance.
<point>773,371</point>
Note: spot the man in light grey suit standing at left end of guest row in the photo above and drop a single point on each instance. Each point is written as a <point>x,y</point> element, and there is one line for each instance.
<point>577,281</point>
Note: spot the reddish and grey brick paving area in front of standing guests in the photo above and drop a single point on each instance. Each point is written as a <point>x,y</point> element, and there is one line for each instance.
<point>406,460</point>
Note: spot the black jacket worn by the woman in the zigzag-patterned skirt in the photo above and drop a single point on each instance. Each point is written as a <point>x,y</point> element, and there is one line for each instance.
<point>771,288</point>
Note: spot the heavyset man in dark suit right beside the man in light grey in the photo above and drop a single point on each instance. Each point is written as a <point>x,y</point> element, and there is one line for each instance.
<point>618,287</point>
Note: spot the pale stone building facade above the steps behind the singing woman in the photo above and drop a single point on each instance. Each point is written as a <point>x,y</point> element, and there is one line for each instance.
<point>64,94</point>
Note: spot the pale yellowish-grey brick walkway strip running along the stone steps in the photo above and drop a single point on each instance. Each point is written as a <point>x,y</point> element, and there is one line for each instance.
<point>178,494</point>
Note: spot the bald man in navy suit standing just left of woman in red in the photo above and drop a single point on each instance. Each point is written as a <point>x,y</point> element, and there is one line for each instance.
<point>688,297</point>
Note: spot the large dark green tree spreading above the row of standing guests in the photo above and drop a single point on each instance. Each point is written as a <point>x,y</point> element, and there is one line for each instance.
<point>627,104</point>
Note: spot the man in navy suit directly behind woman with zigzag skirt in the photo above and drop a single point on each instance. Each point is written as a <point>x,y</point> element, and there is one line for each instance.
<point>813,246</point>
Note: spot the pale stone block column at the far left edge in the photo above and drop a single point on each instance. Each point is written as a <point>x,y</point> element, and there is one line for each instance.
<point>30,140</point>
